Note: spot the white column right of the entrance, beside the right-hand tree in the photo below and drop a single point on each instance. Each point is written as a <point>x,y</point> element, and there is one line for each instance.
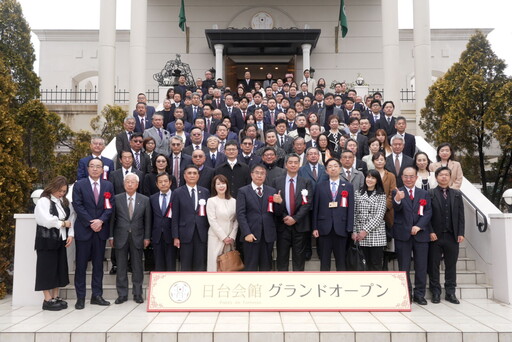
<point>422,55</point>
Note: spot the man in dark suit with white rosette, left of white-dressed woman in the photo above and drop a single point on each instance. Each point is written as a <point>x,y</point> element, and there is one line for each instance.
<point>189,221</point>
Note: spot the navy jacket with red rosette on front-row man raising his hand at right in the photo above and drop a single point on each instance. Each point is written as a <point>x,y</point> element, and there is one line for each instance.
<point>406,216</point>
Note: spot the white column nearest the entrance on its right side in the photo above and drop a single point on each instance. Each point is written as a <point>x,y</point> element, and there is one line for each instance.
<point>390,52</point>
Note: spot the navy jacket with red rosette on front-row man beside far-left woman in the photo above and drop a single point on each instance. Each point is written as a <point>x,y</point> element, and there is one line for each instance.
<point>87,210</point>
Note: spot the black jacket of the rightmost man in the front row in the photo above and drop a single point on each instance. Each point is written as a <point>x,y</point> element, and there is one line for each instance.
<point>456,207</point>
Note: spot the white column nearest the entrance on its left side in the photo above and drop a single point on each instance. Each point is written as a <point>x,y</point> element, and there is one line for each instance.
<point>138,39</point>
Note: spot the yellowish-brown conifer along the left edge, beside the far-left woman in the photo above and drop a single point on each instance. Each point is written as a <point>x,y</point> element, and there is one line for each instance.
<point>15,177</point>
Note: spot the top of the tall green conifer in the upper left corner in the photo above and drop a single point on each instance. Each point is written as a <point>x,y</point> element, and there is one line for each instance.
<point>18,52</point>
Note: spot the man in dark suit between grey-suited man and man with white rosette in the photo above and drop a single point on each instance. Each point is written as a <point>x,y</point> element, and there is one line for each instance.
<point>161,232</point>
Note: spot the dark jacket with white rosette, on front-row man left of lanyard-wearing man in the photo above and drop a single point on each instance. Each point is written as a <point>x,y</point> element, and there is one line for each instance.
<point>301,212</point>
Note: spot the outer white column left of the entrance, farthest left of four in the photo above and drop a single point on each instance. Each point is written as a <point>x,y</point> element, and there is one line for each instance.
<point>107,54</point>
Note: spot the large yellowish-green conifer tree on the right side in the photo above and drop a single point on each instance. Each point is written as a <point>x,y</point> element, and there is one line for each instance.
<point>464,108</point>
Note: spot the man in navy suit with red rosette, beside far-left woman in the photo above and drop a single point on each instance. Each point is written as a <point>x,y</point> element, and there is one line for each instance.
<point>93,201</point>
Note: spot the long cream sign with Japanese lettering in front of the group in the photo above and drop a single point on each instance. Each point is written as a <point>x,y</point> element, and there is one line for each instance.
<point>278,291</point>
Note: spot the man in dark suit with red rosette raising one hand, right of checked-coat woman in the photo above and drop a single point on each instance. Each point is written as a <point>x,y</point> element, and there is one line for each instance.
<point>411,231</point>
